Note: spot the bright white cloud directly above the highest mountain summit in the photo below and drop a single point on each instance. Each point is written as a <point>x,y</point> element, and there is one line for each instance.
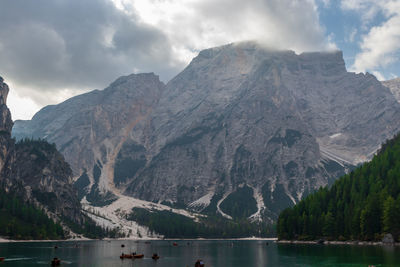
<point>197,24</point>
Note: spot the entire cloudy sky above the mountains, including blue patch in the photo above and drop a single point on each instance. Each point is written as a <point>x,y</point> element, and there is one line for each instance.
<point>51,50</point>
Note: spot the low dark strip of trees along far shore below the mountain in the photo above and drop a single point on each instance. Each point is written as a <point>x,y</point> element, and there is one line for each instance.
<point>173,225</point>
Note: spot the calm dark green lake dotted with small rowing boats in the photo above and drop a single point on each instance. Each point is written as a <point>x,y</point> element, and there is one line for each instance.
<point>214,253</point>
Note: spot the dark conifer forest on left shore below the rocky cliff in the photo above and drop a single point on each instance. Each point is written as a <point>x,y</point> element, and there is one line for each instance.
<point>21,220</point>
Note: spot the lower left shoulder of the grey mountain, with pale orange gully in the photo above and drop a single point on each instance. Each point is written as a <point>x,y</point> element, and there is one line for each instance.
<point>90,129</point>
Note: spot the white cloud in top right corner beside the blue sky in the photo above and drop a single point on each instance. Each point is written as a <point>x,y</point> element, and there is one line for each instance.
<point>381,44</point>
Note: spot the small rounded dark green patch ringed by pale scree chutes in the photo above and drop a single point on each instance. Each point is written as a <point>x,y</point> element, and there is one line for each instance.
<point>240,204</point>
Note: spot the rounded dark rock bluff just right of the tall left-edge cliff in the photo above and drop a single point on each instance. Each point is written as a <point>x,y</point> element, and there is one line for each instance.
<point>46,178</point>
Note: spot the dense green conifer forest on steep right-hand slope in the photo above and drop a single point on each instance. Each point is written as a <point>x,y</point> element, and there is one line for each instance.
<point>362,205</point>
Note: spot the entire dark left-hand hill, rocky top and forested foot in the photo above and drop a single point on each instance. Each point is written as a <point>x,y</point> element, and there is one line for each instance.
<point>36,186</point>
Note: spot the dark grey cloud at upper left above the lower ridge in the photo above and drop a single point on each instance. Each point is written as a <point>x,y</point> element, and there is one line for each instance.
<point>69,45</point>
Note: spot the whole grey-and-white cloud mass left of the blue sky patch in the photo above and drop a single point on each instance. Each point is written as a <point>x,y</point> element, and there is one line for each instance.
<point>51,50</point>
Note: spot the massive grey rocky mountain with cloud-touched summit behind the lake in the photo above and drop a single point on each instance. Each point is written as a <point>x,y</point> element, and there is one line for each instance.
<point>240,124</point>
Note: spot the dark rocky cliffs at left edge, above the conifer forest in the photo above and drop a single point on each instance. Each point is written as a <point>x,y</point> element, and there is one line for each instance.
<point>35,170</point>
